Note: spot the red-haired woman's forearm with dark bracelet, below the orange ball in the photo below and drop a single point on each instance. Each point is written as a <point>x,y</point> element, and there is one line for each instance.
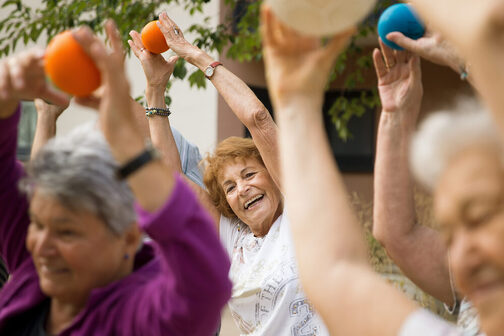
<point>160,130</point>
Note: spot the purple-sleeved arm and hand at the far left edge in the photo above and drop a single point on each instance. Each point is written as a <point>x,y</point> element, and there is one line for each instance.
<point>21,77</point>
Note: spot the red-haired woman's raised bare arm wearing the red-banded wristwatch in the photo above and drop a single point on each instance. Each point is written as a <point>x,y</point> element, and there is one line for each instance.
<point>240,98</point>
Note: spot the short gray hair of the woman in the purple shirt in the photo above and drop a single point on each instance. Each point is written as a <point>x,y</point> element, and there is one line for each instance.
<point>79,171</point>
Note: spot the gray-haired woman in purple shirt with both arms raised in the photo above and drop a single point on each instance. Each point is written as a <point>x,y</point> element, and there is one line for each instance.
<point>72,245</point>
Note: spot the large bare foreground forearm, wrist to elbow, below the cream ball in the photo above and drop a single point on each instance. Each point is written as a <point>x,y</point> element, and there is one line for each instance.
<point>315,192</point>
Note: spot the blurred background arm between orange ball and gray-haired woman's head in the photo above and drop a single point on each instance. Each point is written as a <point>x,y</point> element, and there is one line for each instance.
<point>47,115</point>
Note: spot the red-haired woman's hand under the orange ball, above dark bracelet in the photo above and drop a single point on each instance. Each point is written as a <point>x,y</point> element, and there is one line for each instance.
<point>157,70</point>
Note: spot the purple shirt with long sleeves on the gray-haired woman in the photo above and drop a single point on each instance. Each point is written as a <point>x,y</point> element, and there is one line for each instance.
<point>179,284</point>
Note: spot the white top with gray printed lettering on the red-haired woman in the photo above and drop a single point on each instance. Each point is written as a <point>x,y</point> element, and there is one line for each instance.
<point>267,298</point>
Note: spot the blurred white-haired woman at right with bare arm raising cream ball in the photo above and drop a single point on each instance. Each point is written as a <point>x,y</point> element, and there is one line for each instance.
<point>333,267</point>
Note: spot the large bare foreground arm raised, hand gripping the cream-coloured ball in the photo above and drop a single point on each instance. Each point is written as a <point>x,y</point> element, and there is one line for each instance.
<point>331,258</point>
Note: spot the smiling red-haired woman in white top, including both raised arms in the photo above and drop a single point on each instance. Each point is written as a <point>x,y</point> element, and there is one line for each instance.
<point>242,180</point>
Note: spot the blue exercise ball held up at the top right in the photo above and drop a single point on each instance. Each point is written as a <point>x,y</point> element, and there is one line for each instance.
<point>401,18</point>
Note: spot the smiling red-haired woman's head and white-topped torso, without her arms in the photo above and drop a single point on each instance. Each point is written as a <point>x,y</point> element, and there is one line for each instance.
<point>255,231</point>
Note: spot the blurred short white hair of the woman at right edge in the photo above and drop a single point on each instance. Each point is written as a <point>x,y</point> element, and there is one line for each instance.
<point>445,134</point>
